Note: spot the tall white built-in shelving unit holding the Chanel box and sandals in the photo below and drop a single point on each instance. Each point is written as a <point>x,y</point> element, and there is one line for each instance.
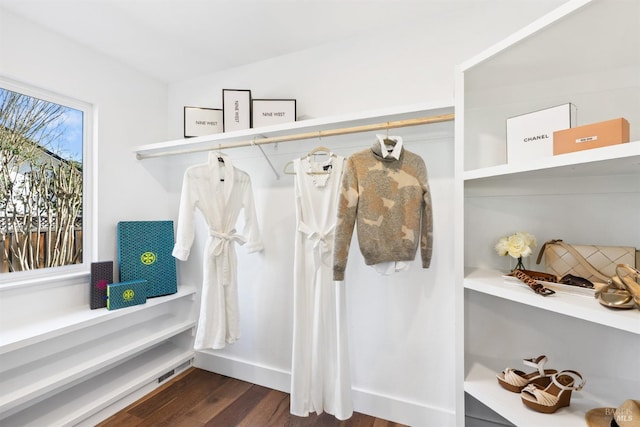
<point>587,53</point>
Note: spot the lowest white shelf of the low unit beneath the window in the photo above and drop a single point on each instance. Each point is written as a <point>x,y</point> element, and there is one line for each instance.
<point>83,400</point>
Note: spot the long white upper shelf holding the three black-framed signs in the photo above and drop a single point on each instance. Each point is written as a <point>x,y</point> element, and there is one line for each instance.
<point>312,125</point>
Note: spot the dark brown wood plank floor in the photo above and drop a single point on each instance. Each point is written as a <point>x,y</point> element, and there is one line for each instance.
<point>198,398</point>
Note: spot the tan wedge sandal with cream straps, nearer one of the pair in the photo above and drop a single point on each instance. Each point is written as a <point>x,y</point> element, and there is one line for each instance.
<point>554,396</point>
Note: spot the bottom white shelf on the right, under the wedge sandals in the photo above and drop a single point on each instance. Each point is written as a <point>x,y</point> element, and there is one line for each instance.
<point>481,383</point>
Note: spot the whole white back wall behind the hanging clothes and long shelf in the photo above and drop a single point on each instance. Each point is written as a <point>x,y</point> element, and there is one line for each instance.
<point>401,327</point>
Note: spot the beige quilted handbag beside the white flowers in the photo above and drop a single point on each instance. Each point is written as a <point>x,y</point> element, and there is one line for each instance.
<point>592,262</point>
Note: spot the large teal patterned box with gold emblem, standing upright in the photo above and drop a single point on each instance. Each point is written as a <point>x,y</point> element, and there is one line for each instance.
<point>144,252</point>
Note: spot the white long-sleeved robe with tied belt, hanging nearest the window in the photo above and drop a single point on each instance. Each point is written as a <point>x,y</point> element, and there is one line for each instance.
<point>219,191</point>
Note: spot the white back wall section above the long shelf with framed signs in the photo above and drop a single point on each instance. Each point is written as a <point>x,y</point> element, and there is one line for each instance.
<point>404,63</point>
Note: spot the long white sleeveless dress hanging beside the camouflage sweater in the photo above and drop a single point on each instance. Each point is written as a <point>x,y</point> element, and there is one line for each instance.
<point>320,374</point>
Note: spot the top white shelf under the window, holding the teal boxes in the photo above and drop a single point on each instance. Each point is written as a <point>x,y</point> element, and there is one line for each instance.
<point>82,317</point>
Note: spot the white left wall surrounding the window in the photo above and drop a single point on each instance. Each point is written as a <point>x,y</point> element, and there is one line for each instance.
<point>130,109</point>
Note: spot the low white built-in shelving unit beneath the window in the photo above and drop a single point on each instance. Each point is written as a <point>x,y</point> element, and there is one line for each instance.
<point>64,369</point>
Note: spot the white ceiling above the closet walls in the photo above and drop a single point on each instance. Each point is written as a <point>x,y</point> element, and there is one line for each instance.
<point>173,40</point>
